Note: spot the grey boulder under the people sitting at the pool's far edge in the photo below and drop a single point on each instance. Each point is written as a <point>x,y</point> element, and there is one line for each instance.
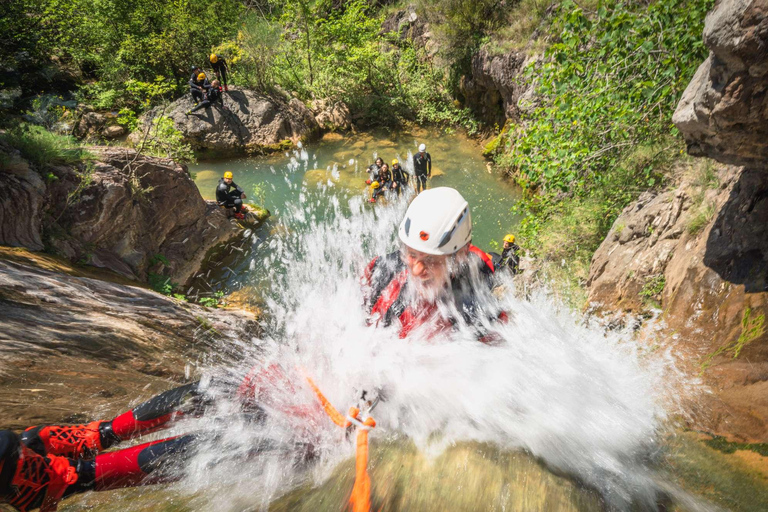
<point>254,123</point>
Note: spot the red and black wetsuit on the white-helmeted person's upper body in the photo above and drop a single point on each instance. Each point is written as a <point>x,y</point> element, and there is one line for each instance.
<point>386,293</point>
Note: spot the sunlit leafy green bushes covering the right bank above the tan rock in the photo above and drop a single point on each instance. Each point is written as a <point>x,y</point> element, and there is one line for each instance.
<point>601,132</point>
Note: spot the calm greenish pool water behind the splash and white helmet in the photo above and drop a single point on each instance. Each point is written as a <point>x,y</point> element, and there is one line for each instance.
<point>335,169</point>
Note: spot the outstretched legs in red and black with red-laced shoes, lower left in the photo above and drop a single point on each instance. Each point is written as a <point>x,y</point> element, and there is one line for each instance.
<point>47,463</point>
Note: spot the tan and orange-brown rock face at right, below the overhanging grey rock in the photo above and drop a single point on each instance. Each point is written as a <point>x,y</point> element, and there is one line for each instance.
<point>701,255</point>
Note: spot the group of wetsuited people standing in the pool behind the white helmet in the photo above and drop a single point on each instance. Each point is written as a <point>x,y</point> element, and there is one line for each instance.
<point>384,180</point>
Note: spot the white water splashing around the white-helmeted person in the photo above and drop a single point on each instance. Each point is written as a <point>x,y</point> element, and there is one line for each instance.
<point>583,401</point>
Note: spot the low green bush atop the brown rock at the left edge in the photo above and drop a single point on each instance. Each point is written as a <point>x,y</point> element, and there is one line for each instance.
<point>42,147</point>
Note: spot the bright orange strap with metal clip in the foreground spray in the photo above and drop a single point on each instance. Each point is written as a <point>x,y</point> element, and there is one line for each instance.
<point>360,499</point>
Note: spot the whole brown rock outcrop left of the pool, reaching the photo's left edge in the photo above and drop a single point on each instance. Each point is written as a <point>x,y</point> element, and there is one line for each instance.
<point>138,215</point>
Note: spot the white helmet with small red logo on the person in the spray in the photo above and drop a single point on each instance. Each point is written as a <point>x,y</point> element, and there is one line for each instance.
<point>437,222</point>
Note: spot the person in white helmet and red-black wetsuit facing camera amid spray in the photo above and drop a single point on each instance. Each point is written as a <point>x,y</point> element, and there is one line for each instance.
<point>437,279</point>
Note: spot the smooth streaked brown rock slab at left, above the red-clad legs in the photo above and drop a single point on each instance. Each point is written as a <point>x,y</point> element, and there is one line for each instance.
<point>75,349</point>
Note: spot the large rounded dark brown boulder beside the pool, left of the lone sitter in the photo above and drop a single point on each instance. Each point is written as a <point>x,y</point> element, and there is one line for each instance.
<point>139,211</point>
